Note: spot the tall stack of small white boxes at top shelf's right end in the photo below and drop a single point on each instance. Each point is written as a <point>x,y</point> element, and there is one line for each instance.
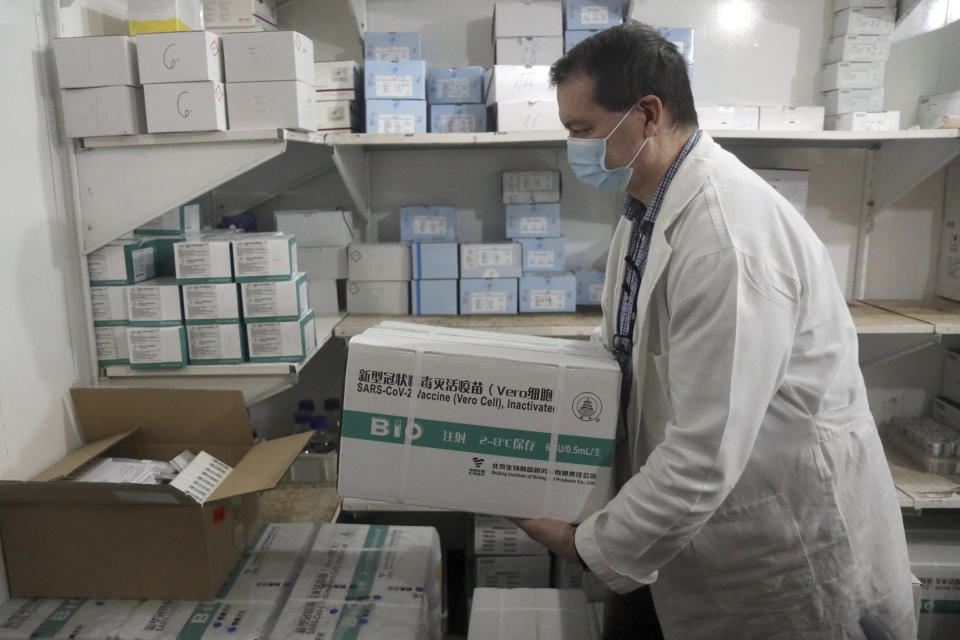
<point>854,71</point>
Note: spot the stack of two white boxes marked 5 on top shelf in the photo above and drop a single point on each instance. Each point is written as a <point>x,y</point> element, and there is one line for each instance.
<point>270,77</point>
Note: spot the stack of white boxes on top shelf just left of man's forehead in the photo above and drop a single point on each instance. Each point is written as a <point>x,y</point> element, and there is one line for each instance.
<point>528,38</point>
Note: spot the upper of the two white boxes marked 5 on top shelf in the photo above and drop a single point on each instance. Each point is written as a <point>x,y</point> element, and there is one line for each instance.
<point>268,56</point>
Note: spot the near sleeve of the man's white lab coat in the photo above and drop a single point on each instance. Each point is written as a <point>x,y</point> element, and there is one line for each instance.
<point>732,324</point>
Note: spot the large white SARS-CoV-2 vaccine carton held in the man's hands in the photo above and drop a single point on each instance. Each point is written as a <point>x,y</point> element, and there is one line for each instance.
<point>450,429</point>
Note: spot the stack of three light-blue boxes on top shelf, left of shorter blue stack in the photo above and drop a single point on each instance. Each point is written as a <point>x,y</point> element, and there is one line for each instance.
<point>394,83</point>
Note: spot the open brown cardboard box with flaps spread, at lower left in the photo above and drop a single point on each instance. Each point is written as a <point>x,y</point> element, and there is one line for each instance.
<point>74,539</point>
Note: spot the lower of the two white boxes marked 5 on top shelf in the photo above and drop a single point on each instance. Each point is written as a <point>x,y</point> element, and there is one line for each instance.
<point>282,104</point>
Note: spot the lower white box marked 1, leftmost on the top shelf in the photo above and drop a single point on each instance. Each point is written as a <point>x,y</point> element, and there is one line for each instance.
<point>103,111</point>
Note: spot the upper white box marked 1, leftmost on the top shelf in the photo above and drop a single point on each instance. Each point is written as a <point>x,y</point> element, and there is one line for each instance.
<point>99,61</point>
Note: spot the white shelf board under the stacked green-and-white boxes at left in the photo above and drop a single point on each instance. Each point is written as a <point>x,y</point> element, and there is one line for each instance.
<point>258,381</point>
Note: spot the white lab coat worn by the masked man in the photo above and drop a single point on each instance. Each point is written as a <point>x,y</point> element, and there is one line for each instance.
<point>756,483</point>
